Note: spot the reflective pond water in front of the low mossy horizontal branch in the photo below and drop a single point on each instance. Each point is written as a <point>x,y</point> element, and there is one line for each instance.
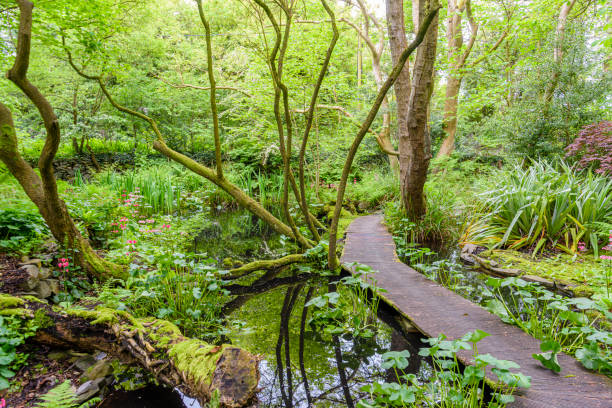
<point>298,364</point>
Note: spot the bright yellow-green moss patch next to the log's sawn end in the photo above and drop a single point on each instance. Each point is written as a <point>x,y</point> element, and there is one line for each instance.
<point>196,360</point>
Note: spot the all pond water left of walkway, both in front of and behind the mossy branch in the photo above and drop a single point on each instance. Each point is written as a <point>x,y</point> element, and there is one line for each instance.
<point>300,368</point>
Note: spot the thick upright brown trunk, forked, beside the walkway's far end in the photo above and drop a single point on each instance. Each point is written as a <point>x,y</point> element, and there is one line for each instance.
<point>412,105</point>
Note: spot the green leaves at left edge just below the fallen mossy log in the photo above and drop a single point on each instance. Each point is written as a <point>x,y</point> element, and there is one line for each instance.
<point>13,333</point>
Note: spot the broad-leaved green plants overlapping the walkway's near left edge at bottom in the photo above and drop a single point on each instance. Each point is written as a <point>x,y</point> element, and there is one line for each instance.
<point>449,385</point>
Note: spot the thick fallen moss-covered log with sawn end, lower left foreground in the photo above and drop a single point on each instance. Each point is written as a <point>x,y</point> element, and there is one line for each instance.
<point>197,368</point>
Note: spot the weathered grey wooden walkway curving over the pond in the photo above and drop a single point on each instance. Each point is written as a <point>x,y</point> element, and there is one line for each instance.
<point>433,309</point>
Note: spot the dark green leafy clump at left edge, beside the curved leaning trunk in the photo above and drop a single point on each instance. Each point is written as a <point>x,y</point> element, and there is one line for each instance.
<point>20,229</point>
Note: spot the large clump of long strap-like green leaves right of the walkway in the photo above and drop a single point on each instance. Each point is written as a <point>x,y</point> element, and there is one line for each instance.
<point>544,206</point>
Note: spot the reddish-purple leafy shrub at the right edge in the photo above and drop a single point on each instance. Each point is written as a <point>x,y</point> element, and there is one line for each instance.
<point>593,147</point>
